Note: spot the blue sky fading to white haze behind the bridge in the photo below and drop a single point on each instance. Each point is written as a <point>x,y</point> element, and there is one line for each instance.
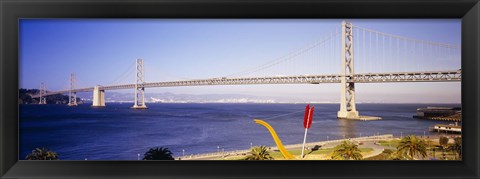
<point>104,51</point>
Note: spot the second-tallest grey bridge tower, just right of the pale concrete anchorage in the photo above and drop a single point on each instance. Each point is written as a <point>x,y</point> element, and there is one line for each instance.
<point>139,102</point>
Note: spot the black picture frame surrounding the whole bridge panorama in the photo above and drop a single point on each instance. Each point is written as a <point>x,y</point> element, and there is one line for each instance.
<point>11,11</point>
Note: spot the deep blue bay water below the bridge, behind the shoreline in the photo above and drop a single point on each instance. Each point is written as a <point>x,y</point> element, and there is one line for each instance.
<point>117,132</point>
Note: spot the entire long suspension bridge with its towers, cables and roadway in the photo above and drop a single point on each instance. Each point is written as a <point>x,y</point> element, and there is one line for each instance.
<point>380,58</point>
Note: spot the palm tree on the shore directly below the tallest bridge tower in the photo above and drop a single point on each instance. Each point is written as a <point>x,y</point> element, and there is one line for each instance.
<point>347,151</point>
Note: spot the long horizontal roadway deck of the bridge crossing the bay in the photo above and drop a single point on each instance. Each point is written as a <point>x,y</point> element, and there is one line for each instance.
<point>431,76</point>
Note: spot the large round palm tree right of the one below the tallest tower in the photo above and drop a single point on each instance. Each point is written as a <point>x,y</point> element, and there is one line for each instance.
<point>411,146</point>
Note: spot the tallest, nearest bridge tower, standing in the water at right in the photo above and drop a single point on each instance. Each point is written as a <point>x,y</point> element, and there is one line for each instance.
<point>347,89</point>
